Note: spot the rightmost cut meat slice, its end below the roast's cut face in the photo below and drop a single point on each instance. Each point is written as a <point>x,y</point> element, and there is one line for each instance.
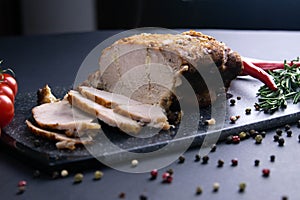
<point>151,114</point>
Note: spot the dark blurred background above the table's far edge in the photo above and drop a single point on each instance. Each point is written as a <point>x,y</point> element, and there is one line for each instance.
<point>23,17</point>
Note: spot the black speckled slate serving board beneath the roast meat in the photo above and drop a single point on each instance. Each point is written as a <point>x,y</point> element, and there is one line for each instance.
<point>44,152</point>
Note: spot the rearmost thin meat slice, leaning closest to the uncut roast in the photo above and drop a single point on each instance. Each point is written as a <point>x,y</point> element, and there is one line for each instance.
<point>104,98</point>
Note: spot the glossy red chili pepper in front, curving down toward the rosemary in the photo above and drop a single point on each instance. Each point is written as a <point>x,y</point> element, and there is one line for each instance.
<point>260,74</point>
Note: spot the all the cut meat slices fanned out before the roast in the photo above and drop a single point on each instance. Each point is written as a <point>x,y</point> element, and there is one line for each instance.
<point>74,116</point>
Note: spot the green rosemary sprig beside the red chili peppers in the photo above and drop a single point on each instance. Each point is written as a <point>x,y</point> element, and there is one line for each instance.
<point>288,83</point>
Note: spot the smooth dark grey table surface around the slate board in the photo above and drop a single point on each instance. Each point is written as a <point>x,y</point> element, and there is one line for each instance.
<point>55,60</point>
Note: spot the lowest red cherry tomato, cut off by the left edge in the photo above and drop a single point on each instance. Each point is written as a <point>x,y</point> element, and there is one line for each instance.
<point>6,110</point>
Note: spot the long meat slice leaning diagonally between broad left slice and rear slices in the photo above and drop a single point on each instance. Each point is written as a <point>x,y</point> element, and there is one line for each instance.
<point>104,114</point>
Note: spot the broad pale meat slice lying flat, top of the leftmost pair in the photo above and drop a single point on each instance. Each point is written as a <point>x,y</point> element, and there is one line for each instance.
<point>61,116</point>
